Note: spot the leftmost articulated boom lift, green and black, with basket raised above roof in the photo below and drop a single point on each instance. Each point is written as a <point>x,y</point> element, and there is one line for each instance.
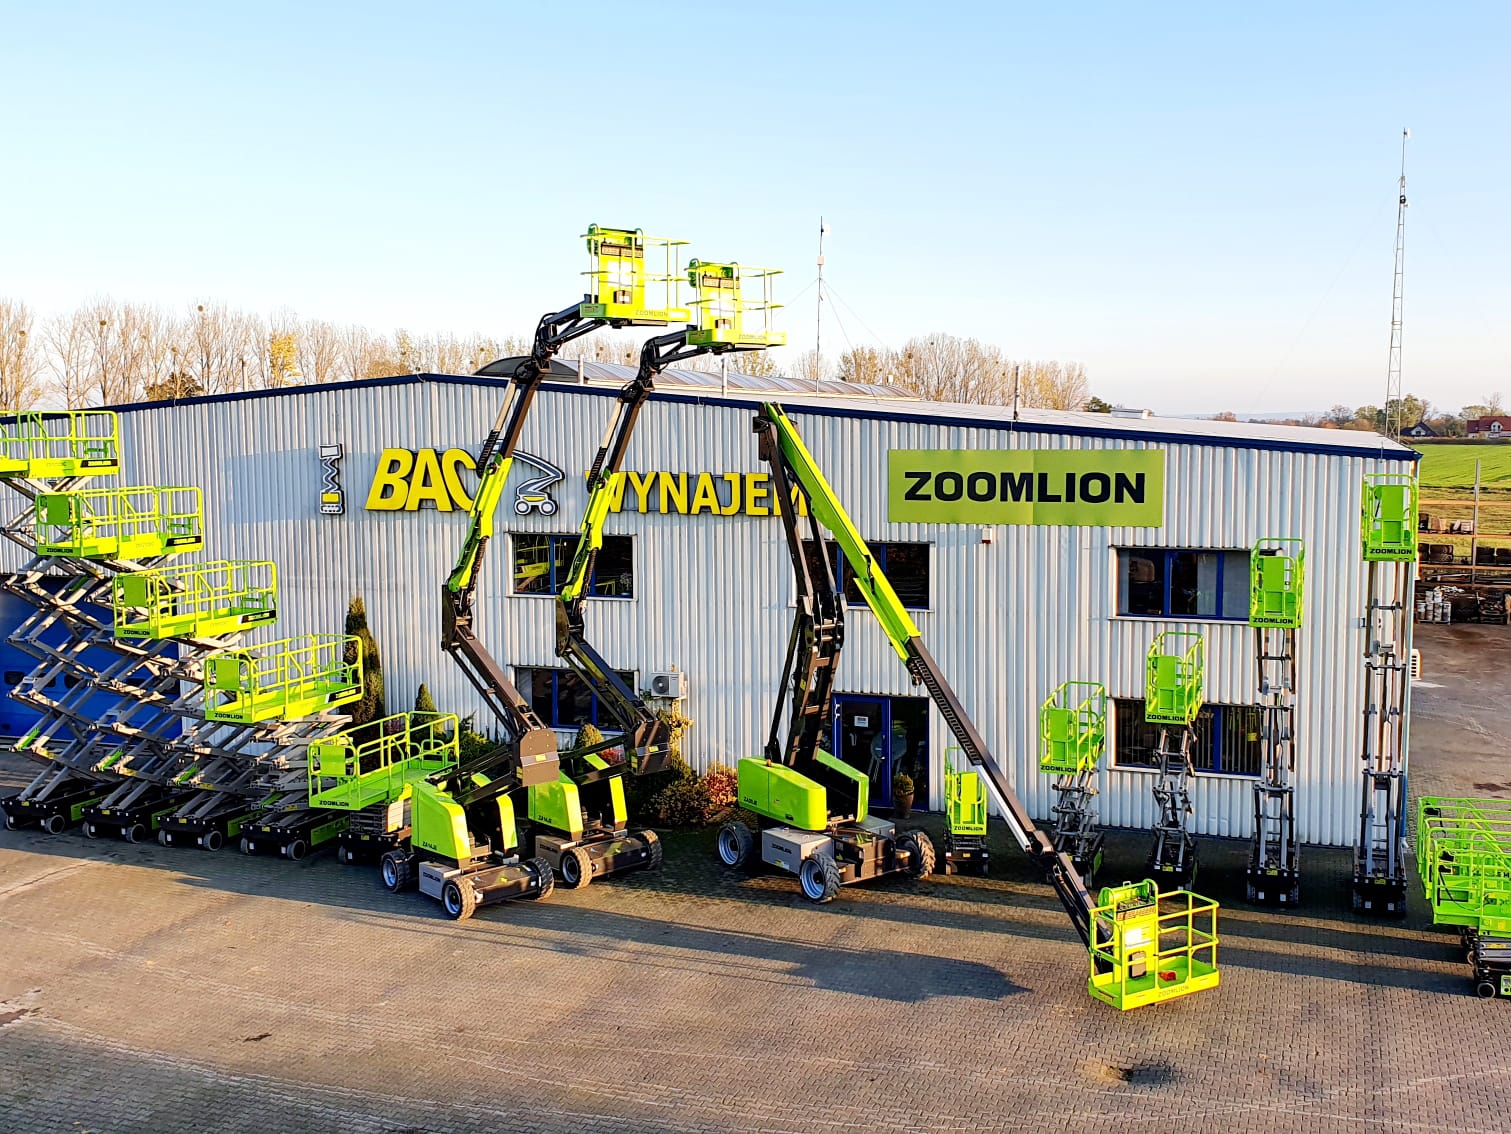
<point>465,816</point>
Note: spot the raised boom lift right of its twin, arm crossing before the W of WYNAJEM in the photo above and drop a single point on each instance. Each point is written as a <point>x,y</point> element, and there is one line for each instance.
<point>581,823</point>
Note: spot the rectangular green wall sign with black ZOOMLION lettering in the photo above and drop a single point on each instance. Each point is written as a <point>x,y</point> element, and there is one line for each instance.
<point>1084,488</point>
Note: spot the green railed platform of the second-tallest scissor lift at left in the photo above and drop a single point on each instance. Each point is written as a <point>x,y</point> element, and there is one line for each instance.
<point>120,524</point>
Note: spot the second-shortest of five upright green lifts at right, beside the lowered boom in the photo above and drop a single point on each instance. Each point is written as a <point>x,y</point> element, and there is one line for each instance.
<point>1074,734</point>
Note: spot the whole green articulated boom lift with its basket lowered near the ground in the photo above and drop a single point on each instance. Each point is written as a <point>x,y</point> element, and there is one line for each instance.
<point>1145,947</point>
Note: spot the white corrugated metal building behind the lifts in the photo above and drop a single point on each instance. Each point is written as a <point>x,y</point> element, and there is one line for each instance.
<point>1009,610</point>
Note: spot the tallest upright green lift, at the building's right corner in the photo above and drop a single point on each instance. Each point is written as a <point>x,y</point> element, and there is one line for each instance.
<point>1389,530</point>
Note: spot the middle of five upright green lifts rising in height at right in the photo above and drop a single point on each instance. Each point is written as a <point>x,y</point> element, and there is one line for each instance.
<point>1173,683</point>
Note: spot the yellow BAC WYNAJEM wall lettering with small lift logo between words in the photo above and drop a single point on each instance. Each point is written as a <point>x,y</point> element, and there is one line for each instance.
<point>410,480</point>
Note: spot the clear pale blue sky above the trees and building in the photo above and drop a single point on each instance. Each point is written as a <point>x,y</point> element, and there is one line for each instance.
<point>1194,200</point>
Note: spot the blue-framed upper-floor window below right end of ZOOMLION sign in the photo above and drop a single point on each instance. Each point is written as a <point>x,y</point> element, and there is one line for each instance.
<point>1184,583</point>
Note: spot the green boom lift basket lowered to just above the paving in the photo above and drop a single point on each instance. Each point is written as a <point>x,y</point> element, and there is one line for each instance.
<point>1151,947</point>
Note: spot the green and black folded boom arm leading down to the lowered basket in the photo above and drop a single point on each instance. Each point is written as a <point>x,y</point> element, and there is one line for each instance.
<point>793,463</point>
